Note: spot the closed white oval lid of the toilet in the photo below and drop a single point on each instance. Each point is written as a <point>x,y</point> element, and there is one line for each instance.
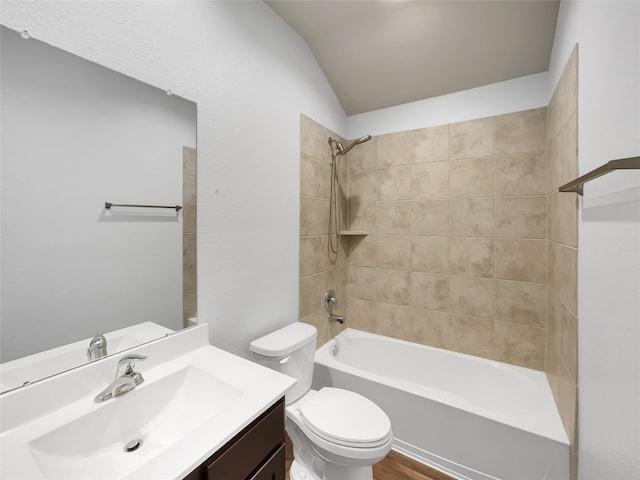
<point>346,418</point>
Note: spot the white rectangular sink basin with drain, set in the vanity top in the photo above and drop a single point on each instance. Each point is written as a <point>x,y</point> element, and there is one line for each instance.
<point>154,415</point>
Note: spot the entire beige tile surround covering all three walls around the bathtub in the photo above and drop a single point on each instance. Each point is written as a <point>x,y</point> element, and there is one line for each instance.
<point>462,221</point>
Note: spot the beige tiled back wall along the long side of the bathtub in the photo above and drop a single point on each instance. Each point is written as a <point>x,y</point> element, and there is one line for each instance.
<point>456,252</point>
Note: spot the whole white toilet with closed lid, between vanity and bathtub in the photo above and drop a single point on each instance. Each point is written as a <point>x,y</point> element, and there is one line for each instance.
<point>336,434</point>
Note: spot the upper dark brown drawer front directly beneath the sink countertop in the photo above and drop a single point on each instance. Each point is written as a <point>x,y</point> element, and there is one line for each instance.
<point>251,449</point>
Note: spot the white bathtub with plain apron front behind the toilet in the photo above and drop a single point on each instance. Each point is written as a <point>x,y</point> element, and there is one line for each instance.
<point>471,418</point>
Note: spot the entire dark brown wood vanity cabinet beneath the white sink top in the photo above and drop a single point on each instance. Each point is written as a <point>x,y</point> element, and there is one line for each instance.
<point>256,453</point>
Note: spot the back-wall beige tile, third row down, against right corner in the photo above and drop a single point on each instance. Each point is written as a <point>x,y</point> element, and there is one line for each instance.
<point>521,217</point>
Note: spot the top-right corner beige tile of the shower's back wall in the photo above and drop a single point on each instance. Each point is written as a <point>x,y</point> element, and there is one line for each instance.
<point>524,131</point>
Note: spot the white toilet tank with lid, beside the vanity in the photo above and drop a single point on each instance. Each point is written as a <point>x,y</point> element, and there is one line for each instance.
<point>289,350</point>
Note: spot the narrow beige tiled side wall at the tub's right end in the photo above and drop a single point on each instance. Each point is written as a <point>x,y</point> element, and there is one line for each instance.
<point>562,338</point>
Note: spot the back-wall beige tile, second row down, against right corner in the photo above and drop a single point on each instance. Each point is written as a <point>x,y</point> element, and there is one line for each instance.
<point>521,174</point>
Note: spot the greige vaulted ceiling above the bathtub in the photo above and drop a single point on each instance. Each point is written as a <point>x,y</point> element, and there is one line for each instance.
<point>378,54</point>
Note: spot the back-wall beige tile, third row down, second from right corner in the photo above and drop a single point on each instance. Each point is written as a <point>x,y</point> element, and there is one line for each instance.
<point>472,217</point>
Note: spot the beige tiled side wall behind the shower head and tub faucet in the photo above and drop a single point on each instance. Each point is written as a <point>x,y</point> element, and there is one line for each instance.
<point>320,270</point>
